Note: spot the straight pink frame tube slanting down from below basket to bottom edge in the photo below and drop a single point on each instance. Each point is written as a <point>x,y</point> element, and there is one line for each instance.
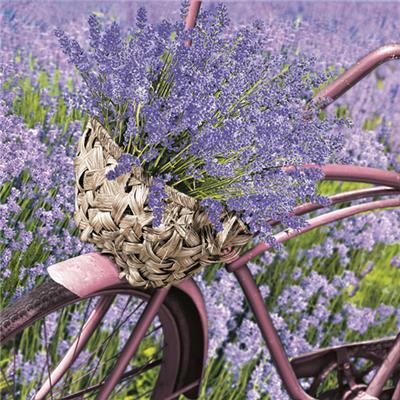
<point>271,337</point>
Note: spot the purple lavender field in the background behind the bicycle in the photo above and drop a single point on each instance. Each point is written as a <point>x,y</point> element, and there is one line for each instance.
<point>337,284</point>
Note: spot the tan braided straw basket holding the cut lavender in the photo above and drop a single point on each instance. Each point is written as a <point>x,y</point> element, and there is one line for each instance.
<point>115,216</point>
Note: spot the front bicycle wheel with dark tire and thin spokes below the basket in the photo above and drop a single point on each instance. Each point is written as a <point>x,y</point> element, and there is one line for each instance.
<point>43,333</point>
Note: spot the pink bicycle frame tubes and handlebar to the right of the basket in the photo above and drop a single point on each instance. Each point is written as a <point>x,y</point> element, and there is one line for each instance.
<point>338,173</point>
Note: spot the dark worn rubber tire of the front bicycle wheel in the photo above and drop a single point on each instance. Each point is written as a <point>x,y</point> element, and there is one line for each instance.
<point>50,296</point>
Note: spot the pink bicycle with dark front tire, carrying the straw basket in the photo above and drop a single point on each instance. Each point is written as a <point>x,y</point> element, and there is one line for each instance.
<point>179,311</point>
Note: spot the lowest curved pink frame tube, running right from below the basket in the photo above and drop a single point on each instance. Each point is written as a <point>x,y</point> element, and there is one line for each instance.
<point>312,224</point>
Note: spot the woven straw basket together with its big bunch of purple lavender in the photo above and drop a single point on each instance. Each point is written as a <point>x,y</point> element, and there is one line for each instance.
<point>214,124</point>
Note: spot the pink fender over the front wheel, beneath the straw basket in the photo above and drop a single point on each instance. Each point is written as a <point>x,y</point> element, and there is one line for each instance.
<point>93,272</point>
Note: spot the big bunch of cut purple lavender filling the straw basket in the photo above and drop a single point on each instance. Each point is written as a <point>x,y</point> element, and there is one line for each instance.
<point>222,113</point>
